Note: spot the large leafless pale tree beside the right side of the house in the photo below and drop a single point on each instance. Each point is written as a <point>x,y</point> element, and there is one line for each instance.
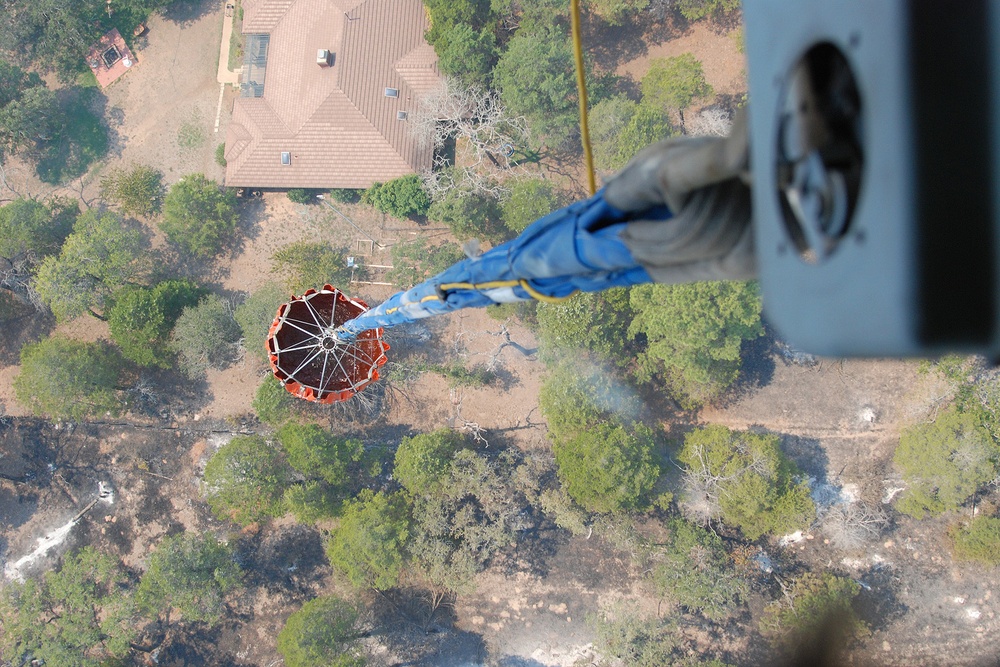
<point>484,132</point>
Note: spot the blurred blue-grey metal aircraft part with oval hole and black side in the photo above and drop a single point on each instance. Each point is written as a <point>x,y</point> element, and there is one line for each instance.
<point>874,152</point>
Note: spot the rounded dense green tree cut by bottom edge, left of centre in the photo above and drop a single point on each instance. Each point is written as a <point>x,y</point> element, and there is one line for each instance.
<point>323,633</point>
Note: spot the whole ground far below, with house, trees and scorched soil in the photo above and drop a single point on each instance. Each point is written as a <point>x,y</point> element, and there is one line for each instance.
<point>640,476</point>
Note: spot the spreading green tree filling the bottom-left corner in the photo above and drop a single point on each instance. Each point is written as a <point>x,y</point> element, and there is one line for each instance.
<point>78,616</point>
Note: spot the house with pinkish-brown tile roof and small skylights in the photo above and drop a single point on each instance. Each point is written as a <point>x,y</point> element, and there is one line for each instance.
<point>325,92</point>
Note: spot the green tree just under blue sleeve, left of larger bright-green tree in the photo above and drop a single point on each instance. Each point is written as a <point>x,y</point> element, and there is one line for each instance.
<point>597,322</point>
